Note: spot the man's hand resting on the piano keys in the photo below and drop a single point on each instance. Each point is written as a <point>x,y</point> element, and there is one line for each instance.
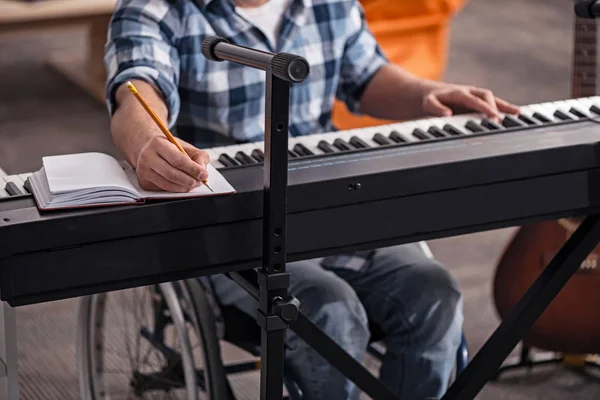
<point>453,99</point>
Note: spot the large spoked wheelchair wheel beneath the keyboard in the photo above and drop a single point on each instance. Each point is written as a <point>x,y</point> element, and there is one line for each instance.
<point>146,343</point>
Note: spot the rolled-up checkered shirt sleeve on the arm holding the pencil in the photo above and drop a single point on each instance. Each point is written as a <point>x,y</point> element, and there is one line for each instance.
<point>141,44</point>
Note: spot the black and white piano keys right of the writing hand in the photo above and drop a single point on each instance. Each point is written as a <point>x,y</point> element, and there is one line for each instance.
<point>423,130</point>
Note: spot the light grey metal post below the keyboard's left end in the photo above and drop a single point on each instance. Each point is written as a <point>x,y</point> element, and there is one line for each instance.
<point>9,373</point>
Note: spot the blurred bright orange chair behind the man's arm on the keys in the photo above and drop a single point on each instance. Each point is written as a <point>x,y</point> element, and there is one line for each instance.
<point>413,34</point>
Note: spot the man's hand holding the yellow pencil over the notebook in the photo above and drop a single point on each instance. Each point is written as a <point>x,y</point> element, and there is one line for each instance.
<point>161,166</point>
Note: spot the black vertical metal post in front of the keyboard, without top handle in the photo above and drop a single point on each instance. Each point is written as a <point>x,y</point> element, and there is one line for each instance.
<point>273,279</point>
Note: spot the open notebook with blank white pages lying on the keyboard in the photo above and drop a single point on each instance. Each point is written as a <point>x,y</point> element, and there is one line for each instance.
<point>97,179</point>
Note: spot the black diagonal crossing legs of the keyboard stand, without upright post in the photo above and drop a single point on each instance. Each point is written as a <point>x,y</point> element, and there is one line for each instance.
<point>485,364</point>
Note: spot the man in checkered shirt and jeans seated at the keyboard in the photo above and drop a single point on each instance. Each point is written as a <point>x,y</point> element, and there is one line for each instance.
<point>156,44</point>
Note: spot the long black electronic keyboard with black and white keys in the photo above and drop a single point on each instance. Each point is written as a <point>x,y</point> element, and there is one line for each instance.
<point>347,190</point>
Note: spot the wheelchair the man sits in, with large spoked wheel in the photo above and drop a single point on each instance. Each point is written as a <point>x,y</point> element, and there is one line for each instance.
<point>172,334</point>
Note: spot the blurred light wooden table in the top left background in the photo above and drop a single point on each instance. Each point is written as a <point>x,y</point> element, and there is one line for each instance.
<point>85,69</point>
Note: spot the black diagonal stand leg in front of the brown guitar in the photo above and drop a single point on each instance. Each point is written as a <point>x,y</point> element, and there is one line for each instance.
<point>531,306</point>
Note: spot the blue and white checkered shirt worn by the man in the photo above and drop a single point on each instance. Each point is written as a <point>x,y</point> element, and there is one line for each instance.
<point>222,103</point>
